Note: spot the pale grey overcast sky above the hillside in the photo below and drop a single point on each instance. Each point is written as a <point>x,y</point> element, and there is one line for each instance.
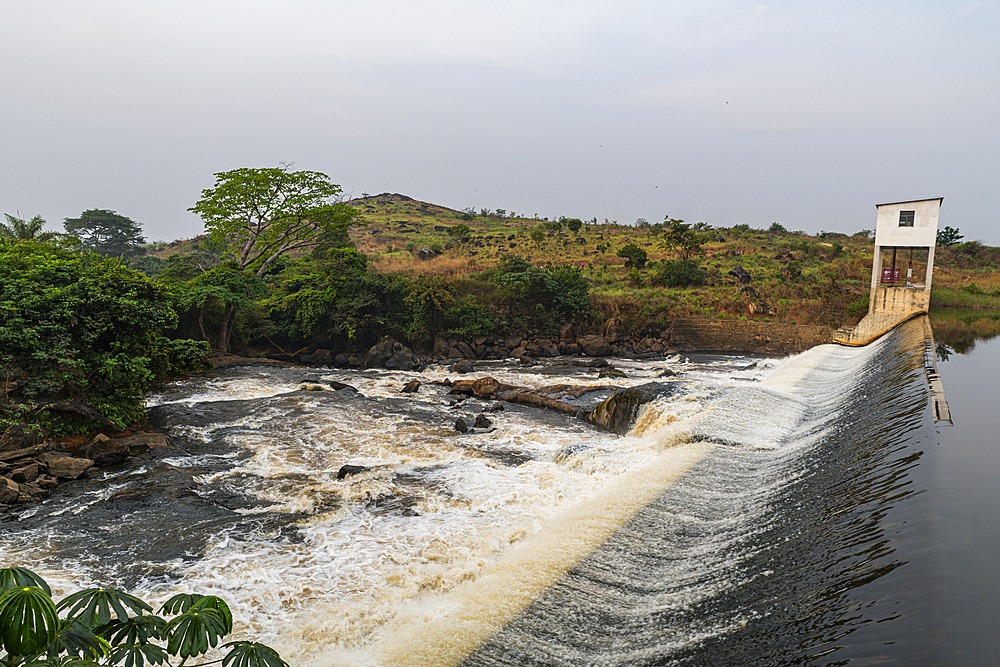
<point>718,111</point>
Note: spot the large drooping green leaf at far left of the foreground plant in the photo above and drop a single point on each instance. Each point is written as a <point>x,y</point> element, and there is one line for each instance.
<point>28,621</point>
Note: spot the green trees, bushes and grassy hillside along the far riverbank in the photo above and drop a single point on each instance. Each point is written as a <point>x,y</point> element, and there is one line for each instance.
<point>288,267</point>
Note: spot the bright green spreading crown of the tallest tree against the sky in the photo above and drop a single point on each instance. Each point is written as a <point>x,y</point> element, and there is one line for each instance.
<point>257,215</point>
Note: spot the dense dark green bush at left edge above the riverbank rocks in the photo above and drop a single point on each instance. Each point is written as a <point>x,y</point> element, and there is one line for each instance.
<point>79,327</point>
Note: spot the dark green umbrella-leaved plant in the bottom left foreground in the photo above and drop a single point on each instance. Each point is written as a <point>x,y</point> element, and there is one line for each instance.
<point>109,627</point>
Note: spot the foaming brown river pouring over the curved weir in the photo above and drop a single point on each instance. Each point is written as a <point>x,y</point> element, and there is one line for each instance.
<point>805,510</point>
